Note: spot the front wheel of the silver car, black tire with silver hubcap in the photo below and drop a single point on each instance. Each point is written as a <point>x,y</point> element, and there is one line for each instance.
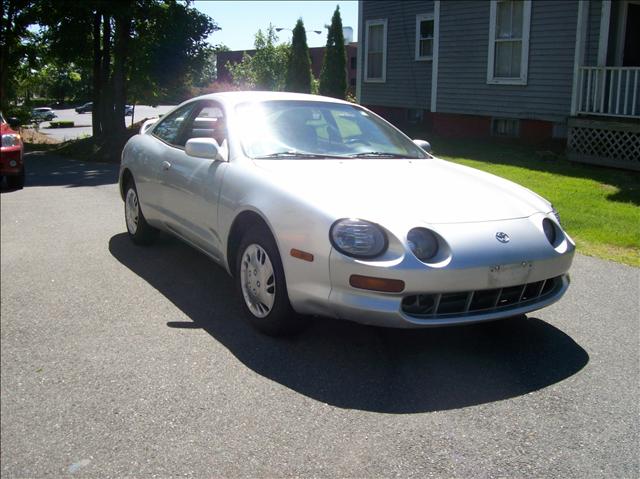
<point>261,285</point>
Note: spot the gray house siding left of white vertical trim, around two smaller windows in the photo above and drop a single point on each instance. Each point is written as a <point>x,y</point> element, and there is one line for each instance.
<point>408,82</point>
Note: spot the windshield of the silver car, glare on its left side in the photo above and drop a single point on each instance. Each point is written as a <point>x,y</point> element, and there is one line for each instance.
<point>310,129</point>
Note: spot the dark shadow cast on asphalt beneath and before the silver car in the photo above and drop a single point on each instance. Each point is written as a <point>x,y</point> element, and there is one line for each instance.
<point>359,367</point>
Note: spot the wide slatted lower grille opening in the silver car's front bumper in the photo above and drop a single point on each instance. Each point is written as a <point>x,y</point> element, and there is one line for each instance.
<point>481,301</point>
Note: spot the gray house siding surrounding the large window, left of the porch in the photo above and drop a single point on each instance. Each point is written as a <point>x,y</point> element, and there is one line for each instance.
<point>462,72</point>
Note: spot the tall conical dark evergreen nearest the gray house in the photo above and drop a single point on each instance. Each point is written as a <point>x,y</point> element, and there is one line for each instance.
<point>333,76</point>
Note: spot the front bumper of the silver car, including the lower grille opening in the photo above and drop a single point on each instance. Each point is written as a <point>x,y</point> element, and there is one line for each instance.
<point>488,282</point>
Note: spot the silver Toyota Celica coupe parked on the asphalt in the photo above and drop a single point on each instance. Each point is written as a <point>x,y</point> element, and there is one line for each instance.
<point>317,206</point>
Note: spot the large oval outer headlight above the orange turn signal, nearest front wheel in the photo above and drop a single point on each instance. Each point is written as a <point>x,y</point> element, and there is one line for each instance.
<point>358,238</point>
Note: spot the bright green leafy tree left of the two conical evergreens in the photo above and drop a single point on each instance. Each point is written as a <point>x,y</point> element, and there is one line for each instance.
<point>266,69</point>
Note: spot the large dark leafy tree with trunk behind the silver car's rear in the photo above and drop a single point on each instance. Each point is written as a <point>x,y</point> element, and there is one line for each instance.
<point>142,50</point>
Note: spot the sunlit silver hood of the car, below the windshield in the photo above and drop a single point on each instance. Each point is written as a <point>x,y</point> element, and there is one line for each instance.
<point>387,191</point>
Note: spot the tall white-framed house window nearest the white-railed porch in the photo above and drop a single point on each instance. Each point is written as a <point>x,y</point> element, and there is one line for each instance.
<point>509,41</point>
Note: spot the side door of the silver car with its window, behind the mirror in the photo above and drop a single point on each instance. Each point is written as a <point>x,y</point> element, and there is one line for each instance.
<point>192,185</point>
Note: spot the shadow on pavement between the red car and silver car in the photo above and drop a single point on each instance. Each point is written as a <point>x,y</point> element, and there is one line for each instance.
<point>46,169</point>
